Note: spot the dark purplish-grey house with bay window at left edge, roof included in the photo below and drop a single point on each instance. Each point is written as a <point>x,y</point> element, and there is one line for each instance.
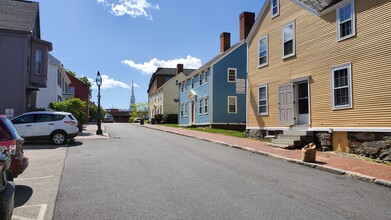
<point>23,56</point>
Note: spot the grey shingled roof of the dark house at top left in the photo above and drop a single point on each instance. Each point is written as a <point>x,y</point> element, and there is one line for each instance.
<point>18,15</point>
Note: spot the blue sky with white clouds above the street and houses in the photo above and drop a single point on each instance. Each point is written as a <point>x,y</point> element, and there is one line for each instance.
<point>127,40</point>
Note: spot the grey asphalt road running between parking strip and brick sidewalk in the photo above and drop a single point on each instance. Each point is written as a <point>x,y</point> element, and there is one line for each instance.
<point>140,173</point>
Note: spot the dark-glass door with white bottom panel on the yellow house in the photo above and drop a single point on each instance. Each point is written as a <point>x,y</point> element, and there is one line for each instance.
<point>302,103</point>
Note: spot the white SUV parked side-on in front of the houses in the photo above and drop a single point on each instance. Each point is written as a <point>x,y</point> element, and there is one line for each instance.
<point>55,126</point>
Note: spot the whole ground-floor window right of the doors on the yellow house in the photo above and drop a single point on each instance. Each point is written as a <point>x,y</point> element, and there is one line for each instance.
<point>341,86</point>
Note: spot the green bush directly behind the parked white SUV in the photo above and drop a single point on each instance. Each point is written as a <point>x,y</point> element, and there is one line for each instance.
<point>74,106</point>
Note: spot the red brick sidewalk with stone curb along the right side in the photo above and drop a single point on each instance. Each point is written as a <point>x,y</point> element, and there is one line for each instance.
<point>327,161</point>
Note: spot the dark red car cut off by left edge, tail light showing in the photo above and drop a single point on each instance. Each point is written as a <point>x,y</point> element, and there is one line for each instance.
<point>10,138</point>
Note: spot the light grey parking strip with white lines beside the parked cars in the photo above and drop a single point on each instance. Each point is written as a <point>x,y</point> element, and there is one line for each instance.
<point>37,187</point>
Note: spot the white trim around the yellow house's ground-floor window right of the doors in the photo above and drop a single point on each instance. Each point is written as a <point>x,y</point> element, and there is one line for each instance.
<point>347,66</point>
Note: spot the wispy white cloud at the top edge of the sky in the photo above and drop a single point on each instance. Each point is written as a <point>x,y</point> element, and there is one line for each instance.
<point>134,8</point>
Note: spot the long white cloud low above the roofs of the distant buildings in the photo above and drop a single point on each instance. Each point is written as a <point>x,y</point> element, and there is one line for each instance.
<point>148,68</point>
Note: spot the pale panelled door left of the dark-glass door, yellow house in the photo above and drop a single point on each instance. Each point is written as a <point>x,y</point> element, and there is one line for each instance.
<point>285,105</point>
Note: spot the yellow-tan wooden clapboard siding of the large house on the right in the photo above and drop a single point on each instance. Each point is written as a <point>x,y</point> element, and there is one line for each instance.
<point>317,50</point>
